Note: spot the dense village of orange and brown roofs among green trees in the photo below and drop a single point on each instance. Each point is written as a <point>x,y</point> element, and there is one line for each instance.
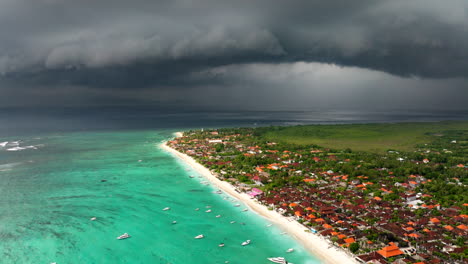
<point>361,202</point>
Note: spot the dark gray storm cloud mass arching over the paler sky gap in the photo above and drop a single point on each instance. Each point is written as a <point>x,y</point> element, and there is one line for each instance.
<point>94,42</point>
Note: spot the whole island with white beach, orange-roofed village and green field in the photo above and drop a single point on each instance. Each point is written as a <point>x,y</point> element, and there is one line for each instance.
<point>362,193</point>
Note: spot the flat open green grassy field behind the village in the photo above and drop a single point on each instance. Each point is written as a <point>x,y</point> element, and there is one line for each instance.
<point>364,137</point>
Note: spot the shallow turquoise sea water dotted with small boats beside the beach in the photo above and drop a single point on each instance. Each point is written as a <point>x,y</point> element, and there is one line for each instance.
<point>49,193</point>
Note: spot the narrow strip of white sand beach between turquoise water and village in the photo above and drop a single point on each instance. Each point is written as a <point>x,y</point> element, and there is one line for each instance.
<point>316,244</point>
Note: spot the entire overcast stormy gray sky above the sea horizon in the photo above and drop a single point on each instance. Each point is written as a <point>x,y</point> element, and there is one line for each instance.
<point>255,54</point>
